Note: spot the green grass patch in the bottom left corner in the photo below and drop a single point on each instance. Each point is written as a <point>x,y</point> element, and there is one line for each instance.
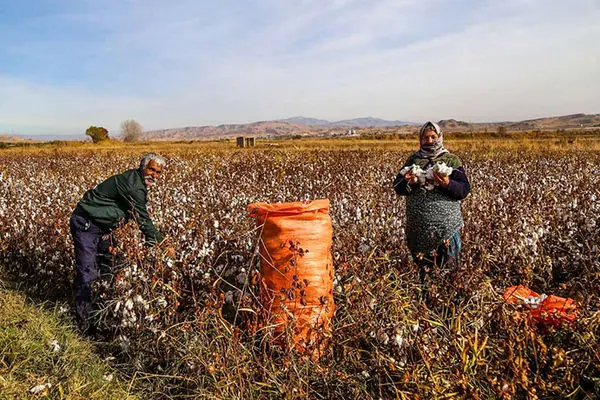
<point>28,358</point>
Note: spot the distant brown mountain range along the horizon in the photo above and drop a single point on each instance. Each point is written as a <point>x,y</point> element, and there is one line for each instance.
<point>305,126</point>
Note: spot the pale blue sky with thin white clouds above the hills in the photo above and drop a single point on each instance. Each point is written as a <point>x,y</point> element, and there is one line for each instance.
<point>65,65</point>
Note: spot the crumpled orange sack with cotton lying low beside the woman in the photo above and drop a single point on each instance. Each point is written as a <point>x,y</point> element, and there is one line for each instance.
<point>549,310</point>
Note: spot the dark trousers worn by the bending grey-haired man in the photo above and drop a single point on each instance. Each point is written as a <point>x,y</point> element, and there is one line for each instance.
<point>92,255</point>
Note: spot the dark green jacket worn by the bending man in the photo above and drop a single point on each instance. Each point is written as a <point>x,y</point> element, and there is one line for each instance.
<point>119,198</point>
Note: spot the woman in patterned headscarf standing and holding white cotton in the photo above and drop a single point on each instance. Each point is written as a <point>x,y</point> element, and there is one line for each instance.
<point>433,193</point>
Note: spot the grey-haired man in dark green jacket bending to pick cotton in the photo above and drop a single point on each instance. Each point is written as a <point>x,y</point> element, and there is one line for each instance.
<point>113,202</point>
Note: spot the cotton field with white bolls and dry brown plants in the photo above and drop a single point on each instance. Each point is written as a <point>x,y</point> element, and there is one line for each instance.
<point>187,326</point>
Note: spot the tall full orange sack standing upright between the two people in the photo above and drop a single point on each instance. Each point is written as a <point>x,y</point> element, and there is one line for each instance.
<point>297,272</point>
